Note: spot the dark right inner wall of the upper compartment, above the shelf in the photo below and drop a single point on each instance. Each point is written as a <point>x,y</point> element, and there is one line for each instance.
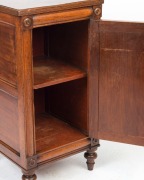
<point>69,42</point>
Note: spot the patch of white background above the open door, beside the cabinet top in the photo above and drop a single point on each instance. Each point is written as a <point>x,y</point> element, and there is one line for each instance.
<point>125,10</point>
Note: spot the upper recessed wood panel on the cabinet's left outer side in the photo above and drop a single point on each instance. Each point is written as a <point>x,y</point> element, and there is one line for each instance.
<point>7,53</point>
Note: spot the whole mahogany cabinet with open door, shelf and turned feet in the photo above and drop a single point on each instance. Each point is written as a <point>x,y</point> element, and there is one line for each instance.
<point>67,80</point>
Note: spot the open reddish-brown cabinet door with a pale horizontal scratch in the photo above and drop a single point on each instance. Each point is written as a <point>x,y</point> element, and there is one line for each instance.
<point>121,82</point>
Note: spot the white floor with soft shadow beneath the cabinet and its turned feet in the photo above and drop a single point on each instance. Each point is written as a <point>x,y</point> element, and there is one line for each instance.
<point>115,162</point>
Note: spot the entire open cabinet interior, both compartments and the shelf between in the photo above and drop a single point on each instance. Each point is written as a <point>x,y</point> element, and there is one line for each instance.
<point>60,64</point>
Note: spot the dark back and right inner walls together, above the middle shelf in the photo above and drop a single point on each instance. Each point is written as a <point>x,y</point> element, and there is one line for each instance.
<point>65,42</point>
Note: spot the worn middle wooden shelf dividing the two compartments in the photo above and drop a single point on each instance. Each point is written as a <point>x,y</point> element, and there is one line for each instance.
<point>49,71</point>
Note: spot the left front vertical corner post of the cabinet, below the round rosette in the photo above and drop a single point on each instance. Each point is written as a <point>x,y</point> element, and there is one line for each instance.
<point>25,95</point>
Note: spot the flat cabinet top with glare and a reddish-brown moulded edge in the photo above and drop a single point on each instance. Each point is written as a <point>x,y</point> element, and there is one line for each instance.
<point>29,7</point>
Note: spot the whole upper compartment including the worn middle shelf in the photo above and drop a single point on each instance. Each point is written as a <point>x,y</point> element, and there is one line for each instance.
<point>60,53</point>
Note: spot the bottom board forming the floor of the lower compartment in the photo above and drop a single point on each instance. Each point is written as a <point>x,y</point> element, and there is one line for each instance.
<point>53,134</point>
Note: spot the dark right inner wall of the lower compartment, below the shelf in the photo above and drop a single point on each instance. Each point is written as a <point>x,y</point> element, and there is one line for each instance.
<point>68,101</point>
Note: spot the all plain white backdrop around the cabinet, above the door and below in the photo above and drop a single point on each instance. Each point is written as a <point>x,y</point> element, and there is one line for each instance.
<point>115,161</point>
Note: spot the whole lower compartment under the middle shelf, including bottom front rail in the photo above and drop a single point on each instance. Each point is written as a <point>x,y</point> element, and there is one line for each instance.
<point>61,119</point>
